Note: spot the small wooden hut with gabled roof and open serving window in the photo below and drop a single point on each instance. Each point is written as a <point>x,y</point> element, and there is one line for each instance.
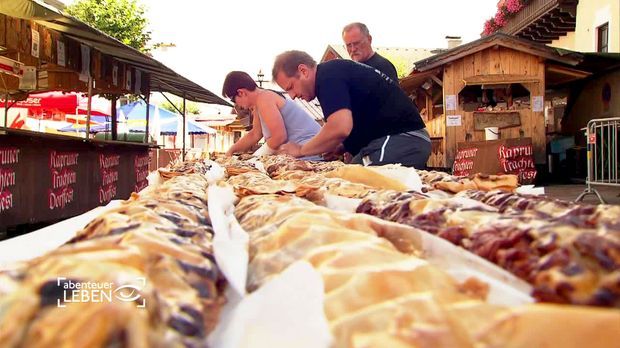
<point>497,81</point>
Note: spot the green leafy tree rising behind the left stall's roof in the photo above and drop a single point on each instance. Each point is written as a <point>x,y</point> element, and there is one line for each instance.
<point>124,20</point>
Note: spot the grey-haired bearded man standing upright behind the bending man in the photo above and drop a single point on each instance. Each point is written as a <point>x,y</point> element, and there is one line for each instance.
<point>358,40</point>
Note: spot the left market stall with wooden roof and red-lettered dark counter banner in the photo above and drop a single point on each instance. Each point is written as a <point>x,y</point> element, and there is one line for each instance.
<point>50,177</point>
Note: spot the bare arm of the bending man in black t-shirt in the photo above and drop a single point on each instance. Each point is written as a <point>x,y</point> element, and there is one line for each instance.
<point>337,128</point>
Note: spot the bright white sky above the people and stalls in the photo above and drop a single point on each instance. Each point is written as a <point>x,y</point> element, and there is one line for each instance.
<point>215,37</point>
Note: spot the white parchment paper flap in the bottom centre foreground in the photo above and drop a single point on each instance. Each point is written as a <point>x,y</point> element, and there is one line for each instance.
<point>285,312</point>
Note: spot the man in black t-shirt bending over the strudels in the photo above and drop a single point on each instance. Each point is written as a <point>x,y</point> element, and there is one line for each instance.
<point>366,112</point>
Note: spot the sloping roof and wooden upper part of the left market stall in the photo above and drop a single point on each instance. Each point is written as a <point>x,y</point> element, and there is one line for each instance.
<point>50,50</point>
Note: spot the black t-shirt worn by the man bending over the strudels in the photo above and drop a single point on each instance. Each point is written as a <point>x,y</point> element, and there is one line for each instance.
<point>378,105</point>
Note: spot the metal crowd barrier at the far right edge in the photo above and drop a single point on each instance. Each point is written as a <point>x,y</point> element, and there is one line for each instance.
<point>602,135</point>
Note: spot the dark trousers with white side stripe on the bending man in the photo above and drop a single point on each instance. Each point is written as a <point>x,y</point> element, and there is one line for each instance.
<point>411,149</point>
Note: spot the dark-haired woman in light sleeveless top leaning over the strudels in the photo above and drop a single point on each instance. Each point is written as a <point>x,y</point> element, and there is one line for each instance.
<point>278,119</point>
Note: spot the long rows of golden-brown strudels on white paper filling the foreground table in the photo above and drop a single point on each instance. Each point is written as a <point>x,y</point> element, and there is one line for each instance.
<point>403,258</point>
